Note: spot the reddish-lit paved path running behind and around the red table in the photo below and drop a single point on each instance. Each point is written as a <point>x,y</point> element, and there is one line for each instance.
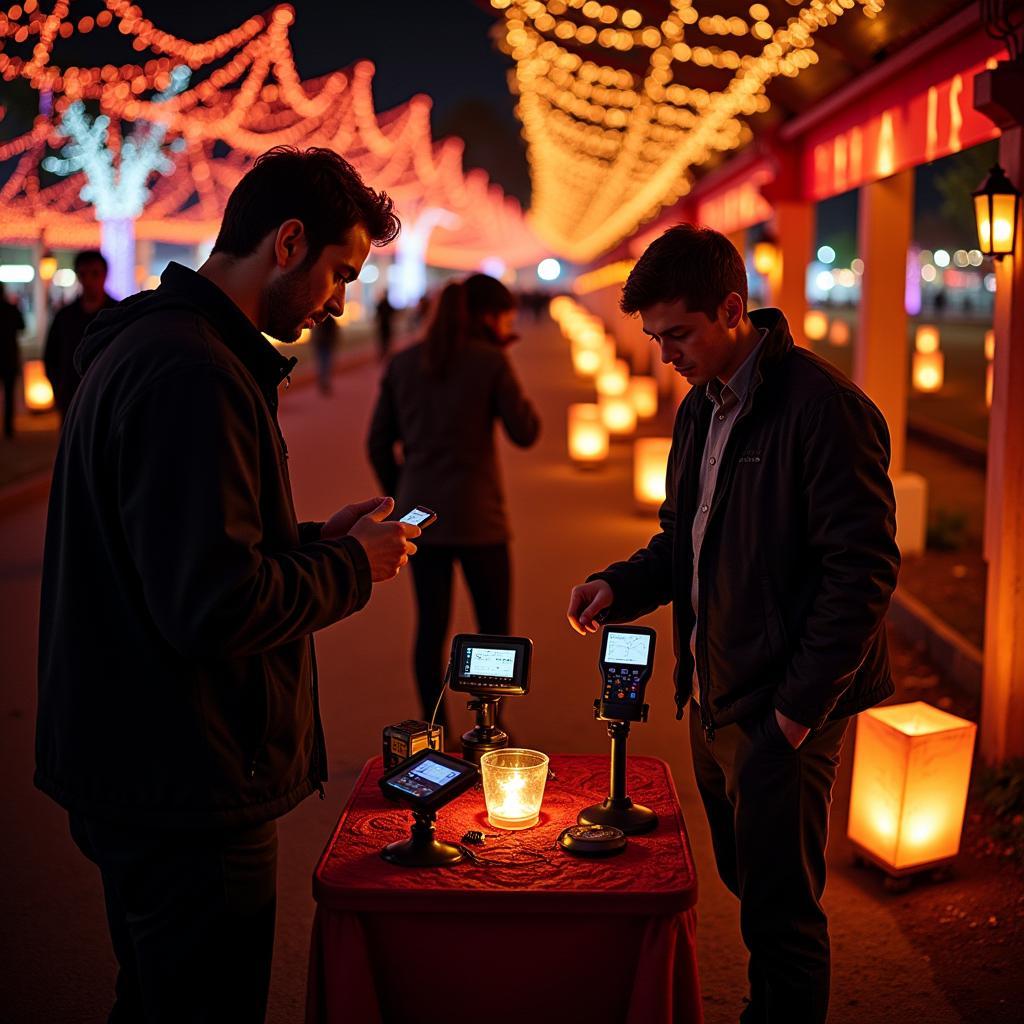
<point>56,952</point>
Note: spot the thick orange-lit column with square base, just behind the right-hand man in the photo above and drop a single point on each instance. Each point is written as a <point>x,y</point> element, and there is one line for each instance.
<point>880,358</point>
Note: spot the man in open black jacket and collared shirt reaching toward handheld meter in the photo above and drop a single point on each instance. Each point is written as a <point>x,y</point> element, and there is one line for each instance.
<point>777,548</point>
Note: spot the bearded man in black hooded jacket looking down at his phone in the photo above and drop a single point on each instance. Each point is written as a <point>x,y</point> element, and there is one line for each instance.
<point>179,712</point>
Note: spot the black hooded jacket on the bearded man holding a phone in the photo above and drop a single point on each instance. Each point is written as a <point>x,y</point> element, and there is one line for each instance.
<point>177,673</point>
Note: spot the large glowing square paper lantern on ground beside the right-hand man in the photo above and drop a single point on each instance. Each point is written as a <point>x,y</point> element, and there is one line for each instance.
<point>912,766</point>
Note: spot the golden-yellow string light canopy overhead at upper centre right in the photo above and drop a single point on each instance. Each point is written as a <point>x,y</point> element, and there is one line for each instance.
<point>614,119</point>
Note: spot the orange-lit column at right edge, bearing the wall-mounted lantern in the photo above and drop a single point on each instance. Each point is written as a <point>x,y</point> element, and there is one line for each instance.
<point>1003,677</point>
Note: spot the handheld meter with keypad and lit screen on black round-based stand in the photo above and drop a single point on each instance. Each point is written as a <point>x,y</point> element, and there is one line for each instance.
<point>627,664</point>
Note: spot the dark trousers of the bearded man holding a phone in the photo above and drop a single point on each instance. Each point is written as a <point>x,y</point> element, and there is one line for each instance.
<point>192,918</point>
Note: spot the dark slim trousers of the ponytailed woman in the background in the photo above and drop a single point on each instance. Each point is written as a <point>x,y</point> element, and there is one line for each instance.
<point>488,575</point>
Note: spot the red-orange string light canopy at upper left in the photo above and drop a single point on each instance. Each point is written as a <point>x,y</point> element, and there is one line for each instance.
<point>243,97</point>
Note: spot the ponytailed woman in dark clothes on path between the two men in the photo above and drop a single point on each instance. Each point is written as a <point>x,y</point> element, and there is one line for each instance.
<point>440,401</point>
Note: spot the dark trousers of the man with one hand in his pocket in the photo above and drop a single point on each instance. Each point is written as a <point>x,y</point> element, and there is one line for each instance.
<point>767,805</point>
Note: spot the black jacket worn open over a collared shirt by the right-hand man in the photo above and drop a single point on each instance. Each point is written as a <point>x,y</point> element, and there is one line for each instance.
<point>799,560</point>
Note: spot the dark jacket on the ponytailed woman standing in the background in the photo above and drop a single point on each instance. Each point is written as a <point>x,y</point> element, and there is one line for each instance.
<point>446,425</point>
